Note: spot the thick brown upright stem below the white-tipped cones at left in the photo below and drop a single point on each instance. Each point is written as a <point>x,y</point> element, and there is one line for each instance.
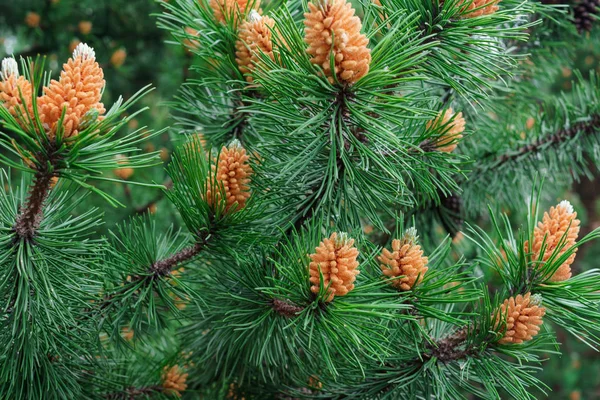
<point>29,219</point>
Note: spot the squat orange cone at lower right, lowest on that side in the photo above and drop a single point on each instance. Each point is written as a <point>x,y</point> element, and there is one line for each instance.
<point>523,317</point>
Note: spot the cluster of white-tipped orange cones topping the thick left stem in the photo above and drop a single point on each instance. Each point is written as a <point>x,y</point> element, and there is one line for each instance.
<point>76,94</point>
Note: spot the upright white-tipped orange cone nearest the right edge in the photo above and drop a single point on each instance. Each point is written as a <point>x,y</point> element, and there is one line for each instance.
<point>557,222</point>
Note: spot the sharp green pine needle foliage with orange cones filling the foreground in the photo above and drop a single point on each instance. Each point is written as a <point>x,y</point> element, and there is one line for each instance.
<point>316,251</point>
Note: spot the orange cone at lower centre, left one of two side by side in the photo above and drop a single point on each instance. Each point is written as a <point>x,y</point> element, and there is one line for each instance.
<point>335,259</point>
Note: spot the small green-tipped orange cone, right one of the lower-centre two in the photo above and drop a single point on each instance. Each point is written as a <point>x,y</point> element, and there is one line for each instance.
<point>405,260</point>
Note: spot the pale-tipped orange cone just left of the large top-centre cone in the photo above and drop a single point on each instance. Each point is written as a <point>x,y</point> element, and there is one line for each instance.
<point>254,39</point>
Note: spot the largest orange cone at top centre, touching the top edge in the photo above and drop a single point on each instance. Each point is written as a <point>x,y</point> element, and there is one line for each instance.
<point>332,30</point>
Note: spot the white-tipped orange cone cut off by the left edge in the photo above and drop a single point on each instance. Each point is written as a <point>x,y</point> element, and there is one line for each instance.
<point>14,89</point>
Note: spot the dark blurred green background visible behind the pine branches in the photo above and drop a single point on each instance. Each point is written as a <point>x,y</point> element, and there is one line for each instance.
<point>133,53</point>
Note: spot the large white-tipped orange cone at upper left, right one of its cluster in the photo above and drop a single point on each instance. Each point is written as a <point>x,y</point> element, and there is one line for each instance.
<point>78,91</point>
